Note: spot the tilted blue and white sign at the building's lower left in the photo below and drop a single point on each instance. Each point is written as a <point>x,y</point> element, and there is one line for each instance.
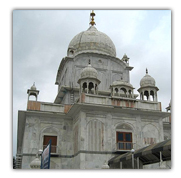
<point>45,157</point>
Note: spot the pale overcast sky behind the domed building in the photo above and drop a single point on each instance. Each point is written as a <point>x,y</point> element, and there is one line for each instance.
<point>41,39</point>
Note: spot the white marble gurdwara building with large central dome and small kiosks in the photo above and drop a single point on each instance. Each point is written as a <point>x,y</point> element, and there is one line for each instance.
<point>96,119</point>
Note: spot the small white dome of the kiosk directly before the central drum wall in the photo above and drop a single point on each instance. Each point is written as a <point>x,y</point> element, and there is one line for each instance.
<point>89,72</point>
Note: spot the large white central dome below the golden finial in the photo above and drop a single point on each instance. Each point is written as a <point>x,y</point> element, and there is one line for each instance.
<point>92,40</point>
